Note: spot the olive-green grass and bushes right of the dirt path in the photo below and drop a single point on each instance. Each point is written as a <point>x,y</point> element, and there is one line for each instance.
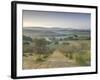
<point>78,51</point>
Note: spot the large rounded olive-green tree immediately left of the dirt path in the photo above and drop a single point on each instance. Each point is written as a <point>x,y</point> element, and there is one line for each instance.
<point>42,49</point>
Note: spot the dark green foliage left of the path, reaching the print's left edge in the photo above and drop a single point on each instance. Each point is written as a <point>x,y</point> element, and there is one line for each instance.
<point>39,47</point>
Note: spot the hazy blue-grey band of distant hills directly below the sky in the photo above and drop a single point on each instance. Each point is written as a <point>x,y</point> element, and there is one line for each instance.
<point>48,32</point>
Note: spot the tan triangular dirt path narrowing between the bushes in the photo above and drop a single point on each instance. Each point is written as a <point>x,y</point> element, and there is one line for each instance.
<point>56,60</point>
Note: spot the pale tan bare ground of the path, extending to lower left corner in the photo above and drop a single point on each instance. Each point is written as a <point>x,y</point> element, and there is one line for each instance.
<point>56,60</point>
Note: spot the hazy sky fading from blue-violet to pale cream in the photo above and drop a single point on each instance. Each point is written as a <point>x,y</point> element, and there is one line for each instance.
<point>56,19</point>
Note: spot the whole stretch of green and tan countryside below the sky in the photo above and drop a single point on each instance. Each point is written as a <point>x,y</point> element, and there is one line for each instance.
<point>54,50</point>
